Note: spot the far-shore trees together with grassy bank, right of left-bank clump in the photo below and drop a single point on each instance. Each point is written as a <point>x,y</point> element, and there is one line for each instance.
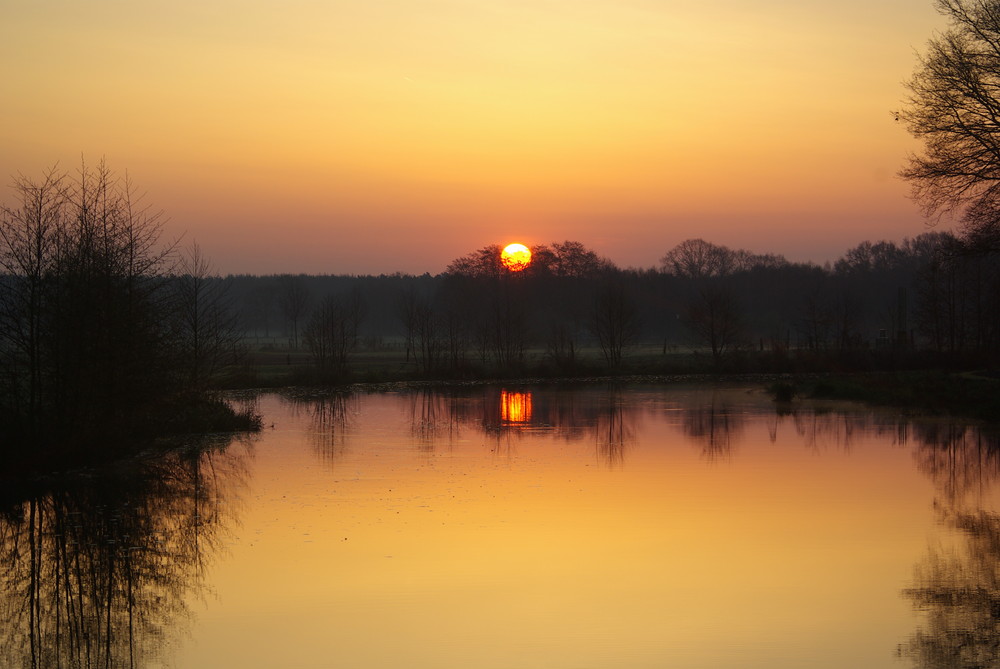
<point>895,323</point>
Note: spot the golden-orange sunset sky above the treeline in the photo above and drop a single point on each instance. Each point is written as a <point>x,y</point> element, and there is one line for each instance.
<point>381,136</point>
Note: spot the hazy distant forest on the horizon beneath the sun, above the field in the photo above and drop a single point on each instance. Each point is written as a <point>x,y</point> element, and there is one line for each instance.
<point>935,293</point>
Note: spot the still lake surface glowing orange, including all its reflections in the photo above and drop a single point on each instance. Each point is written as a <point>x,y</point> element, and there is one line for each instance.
<point>498,527</point>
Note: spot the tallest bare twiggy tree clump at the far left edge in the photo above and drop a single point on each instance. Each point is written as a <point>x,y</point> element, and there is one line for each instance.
<point>85,317</point>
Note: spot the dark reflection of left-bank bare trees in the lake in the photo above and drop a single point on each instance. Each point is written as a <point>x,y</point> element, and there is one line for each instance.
<point>98,570</point>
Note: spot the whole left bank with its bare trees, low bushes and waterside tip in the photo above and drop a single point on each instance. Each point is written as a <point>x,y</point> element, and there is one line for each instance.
<point>105,335</point>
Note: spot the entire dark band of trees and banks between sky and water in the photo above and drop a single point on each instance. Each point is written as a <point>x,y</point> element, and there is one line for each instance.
<point>107,334</point>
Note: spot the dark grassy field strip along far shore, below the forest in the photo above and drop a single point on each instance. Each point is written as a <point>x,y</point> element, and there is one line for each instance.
<point>910,381</point>
